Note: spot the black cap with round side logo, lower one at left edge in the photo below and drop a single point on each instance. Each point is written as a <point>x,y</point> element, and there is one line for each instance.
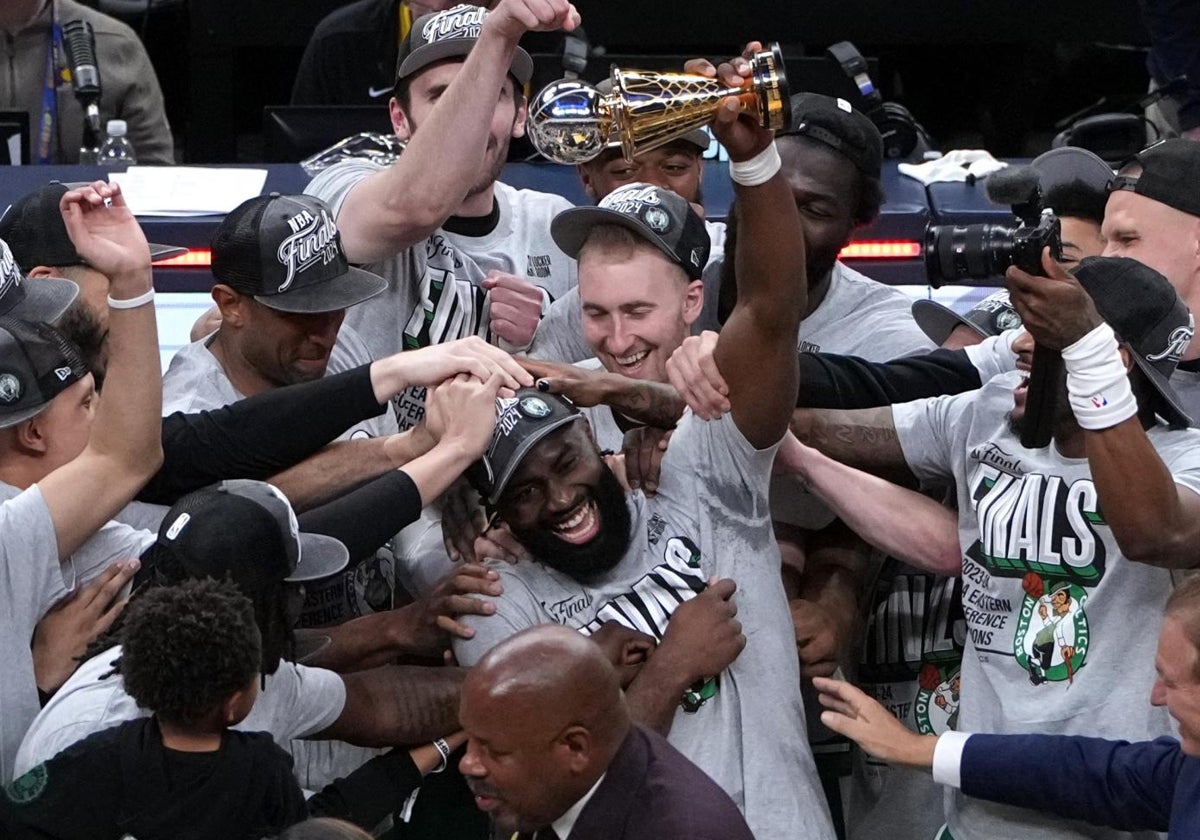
<point>38,363</point>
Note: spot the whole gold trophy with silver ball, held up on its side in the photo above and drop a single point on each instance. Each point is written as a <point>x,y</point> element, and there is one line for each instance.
<point>572,122</point>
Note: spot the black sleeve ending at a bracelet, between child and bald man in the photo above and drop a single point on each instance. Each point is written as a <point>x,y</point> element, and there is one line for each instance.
<point>370,794</point>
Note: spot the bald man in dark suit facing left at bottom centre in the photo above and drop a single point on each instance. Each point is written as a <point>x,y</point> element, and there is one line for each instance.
<point>551,751</point>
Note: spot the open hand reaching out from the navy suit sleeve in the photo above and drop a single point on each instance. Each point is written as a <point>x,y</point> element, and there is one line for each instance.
<point>861,718</point>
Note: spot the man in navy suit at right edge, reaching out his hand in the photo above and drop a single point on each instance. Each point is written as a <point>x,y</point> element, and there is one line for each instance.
<point>1142,787</point>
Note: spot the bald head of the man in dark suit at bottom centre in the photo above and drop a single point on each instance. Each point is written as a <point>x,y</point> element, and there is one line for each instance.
<point>544,716</point>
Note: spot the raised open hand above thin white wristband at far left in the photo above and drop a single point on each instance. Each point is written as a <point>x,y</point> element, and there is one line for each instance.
<point>105,232</point>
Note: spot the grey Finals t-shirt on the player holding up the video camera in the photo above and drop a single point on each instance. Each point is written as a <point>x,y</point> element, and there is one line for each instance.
<point>1061,628</point>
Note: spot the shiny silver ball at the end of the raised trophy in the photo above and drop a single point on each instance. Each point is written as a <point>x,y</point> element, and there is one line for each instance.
<point>569,122</point>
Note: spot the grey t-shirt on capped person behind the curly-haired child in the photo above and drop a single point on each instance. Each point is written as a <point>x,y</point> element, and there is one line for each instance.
<point>296,703</point>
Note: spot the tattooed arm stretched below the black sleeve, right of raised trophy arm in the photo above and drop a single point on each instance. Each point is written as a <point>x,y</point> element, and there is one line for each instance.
<point>865,439</point>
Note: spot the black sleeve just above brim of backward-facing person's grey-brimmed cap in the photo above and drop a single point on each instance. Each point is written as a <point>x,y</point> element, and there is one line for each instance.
<point>368,517</point>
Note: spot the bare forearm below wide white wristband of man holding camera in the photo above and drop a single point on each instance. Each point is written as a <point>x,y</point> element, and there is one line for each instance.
<point>1154,519</point>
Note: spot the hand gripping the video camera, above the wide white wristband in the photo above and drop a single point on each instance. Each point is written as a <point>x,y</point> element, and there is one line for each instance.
<point>1055,309</point>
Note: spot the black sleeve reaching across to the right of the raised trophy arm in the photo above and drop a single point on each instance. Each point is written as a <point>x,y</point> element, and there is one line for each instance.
<point>832,381</point>
